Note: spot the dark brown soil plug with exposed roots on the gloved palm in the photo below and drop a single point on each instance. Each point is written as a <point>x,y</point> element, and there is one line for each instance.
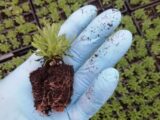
<point>52,86</point>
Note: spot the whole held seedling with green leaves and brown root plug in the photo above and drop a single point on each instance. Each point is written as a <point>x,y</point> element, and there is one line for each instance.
<point>51,83</point>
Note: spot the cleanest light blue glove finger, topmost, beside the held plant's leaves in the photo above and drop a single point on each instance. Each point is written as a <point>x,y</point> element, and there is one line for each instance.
<point>74,25</point>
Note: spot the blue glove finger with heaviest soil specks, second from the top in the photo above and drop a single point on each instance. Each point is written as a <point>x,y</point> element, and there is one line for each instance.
<point>92,37</point>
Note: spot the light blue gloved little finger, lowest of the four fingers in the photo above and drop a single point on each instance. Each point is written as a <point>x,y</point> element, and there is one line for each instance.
<point>96,95</point>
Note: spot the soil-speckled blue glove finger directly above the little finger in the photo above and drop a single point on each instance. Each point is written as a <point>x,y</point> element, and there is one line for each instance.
<point>107,55</point>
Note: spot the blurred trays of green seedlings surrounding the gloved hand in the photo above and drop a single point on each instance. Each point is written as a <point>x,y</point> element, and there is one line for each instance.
<point>138,94</point>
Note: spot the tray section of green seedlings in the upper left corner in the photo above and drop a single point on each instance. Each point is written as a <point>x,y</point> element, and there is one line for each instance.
<point>17,26</point>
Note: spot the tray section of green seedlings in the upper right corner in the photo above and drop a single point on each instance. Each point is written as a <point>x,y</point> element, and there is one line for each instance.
<point>147,20</point>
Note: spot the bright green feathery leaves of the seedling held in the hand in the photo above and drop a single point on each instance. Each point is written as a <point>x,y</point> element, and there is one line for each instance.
<point>49,44</point>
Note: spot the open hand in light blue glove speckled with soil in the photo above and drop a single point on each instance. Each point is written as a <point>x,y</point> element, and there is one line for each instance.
<point>93,52</point>
